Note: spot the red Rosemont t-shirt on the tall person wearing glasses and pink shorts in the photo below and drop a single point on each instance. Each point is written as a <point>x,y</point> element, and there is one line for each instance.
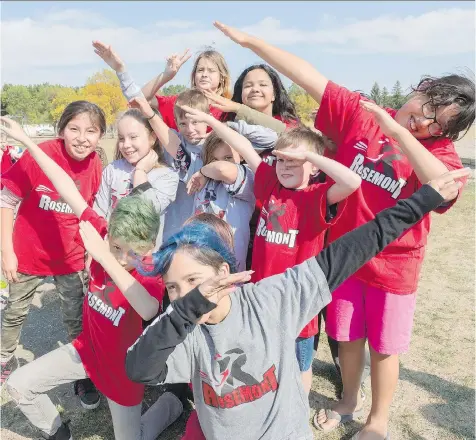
<point>387,177</point>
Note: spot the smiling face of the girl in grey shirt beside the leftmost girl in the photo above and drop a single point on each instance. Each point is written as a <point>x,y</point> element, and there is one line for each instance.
<point>134,140</point>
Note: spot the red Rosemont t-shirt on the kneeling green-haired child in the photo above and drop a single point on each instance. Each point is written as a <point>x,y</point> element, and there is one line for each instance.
<point>110,327</point>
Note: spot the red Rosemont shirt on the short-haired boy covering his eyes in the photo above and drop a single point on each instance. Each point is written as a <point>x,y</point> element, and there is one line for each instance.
<point>290,228</point>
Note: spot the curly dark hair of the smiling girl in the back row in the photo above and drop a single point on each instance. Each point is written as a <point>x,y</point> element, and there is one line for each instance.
<point>282,105</point>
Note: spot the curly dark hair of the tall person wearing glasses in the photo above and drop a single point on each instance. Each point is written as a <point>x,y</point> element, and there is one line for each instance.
<point>447,90</point>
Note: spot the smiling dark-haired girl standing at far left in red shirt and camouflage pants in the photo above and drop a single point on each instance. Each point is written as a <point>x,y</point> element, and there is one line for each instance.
<point>41,243</point>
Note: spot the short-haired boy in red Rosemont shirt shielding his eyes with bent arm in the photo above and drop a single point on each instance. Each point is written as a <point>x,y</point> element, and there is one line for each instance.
<point>295,210</point>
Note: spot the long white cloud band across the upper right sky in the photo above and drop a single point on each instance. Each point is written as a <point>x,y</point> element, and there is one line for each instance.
<point>440,32</point>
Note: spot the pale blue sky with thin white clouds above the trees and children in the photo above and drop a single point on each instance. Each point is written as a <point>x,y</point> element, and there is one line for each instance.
<point>352,43</point>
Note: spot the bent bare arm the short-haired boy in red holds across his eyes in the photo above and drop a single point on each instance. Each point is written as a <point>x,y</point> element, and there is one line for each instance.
<point>346,181</point>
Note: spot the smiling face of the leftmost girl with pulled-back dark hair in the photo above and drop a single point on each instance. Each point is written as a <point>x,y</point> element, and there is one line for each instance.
<point>81,137</point>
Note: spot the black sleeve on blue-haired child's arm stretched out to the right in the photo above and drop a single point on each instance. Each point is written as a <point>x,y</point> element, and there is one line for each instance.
<point>350,252</point>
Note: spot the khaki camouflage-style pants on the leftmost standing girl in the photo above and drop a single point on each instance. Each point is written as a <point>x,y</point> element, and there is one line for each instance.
<point>71,290</point>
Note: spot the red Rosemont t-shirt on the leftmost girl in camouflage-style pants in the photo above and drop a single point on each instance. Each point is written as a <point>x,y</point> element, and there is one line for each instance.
<point>45,227</point>
